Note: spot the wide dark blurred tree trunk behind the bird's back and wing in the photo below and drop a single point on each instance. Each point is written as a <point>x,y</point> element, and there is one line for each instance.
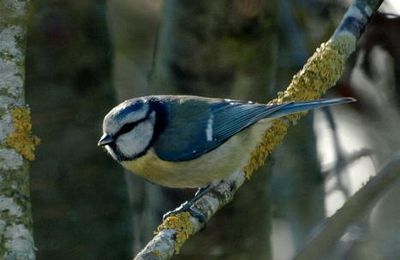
<point>222,49</point>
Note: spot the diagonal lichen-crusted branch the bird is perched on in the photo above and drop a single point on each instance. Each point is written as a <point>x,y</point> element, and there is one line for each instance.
<point>320,73</point>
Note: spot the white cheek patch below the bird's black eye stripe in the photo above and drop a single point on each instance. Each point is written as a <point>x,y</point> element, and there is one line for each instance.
<point>136,141</point>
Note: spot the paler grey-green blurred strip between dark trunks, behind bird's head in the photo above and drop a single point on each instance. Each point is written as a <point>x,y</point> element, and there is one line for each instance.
<point>133,27</point>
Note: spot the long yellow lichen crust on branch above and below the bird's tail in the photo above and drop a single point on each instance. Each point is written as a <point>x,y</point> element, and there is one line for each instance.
<point>321,72</point>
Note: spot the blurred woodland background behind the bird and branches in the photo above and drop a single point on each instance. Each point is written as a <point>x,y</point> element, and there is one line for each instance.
<point>86,56</point>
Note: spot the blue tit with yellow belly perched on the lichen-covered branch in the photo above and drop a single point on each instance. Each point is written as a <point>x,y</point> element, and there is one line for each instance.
<point>182,141</point>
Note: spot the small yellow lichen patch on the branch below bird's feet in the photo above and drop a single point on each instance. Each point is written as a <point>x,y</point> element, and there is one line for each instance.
<point>182,225</point>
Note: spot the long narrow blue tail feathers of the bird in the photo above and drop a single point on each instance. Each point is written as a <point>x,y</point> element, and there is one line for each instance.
<point>291,108</point>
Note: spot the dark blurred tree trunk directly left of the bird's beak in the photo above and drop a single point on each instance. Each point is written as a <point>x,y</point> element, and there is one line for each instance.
<point>78,193</point>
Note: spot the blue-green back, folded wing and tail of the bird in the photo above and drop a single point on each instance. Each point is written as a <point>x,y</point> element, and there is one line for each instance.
<point>195,126</point>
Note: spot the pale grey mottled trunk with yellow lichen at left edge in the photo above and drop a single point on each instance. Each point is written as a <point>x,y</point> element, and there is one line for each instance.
<point>16,240</point>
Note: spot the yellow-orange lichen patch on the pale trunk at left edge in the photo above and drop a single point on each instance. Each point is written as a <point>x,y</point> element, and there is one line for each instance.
<point>21,139</point>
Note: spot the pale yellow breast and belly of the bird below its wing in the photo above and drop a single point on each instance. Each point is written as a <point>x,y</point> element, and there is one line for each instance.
<point>215,165</point>
